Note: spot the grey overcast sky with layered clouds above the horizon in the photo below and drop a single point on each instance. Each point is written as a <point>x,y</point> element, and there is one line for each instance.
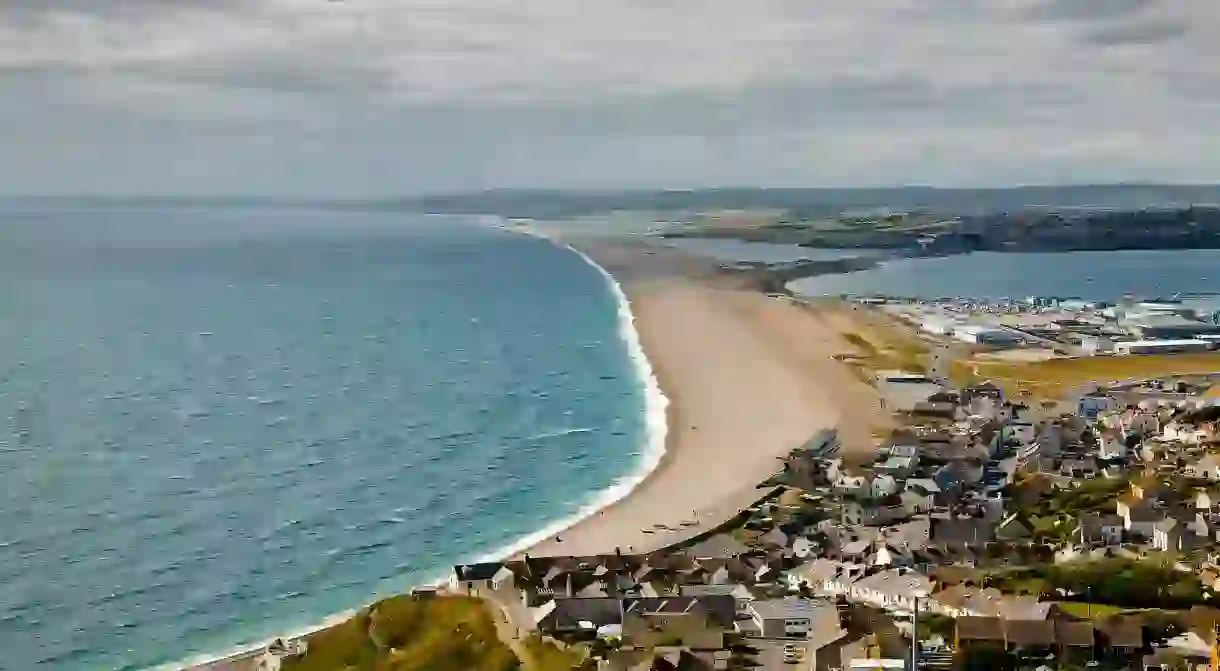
<point>375,98</point>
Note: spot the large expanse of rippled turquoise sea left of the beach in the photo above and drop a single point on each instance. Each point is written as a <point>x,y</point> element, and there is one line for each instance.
<point>220,426</point>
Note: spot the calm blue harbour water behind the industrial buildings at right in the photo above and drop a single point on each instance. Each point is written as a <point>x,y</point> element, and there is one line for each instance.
<point>1089,275</point>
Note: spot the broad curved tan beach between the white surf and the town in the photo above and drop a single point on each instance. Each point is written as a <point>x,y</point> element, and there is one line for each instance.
<point>748,379</point>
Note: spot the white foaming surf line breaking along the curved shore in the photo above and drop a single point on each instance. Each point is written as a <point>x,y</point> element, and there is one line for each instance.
<point>657,429</point>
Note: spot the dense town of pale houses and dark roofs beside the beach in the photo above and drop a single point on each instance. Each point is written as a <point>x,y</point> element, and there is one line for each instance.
<point>986,534</point>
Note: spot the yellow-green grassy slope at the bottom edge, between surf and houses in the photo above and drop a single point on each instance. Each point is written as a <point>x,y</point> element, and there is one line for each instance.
<point>401,634</point>
